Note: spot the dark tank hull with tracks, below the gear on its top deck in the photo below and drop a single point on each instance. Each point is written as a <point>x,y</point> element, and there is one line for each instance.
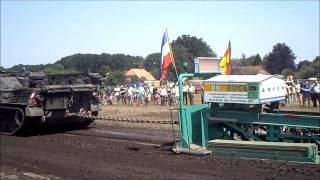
<point>22,106</point>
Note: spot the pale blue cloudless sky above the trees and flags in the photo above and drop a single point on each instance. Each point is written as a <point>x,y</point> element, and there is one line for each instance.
<point>40,32</point>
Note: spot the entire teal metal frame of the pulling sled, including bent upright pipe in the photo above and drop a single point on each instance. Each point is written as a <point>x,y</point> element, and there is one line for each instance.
<point>200,124</point>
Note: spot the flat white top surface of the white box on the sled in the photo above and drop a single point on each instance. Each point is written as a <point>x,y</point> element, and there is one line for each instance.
<point>239,78</point>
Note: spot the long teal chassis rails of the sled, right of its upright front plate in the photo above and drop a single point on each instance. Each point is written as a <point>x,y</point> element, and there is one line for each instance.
<point>273,122</point>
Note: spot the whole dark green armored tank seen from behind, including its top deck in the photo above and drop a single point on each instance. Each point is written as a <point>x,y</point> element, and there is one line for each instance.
<point>35,98</point>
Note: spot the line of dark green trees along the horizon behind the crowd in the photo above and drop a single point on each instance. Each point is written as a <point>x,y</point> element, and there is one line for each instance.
<point>281,60</point>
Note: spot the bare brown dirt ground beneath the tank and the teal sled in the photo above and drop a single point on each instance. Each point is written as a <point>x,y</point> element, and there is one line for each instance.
<point>112,150</point>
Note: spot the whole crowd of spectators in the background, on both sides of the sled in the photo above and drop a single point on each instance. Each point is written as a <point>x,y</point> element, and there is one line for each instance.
<point>304,92</point>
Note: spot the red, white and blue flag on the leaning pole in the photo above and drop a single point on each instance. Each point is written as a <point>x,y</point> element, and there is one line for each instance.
<point>166,56</point>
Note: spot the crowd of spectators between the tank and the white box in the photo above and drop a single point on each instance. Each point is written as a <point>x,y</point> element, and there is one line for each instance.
<point>143,94</point>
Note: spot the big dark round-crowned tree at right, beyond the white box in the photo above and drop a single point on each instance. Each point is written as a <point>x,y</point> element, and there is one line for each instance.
<point>280,58</point>
